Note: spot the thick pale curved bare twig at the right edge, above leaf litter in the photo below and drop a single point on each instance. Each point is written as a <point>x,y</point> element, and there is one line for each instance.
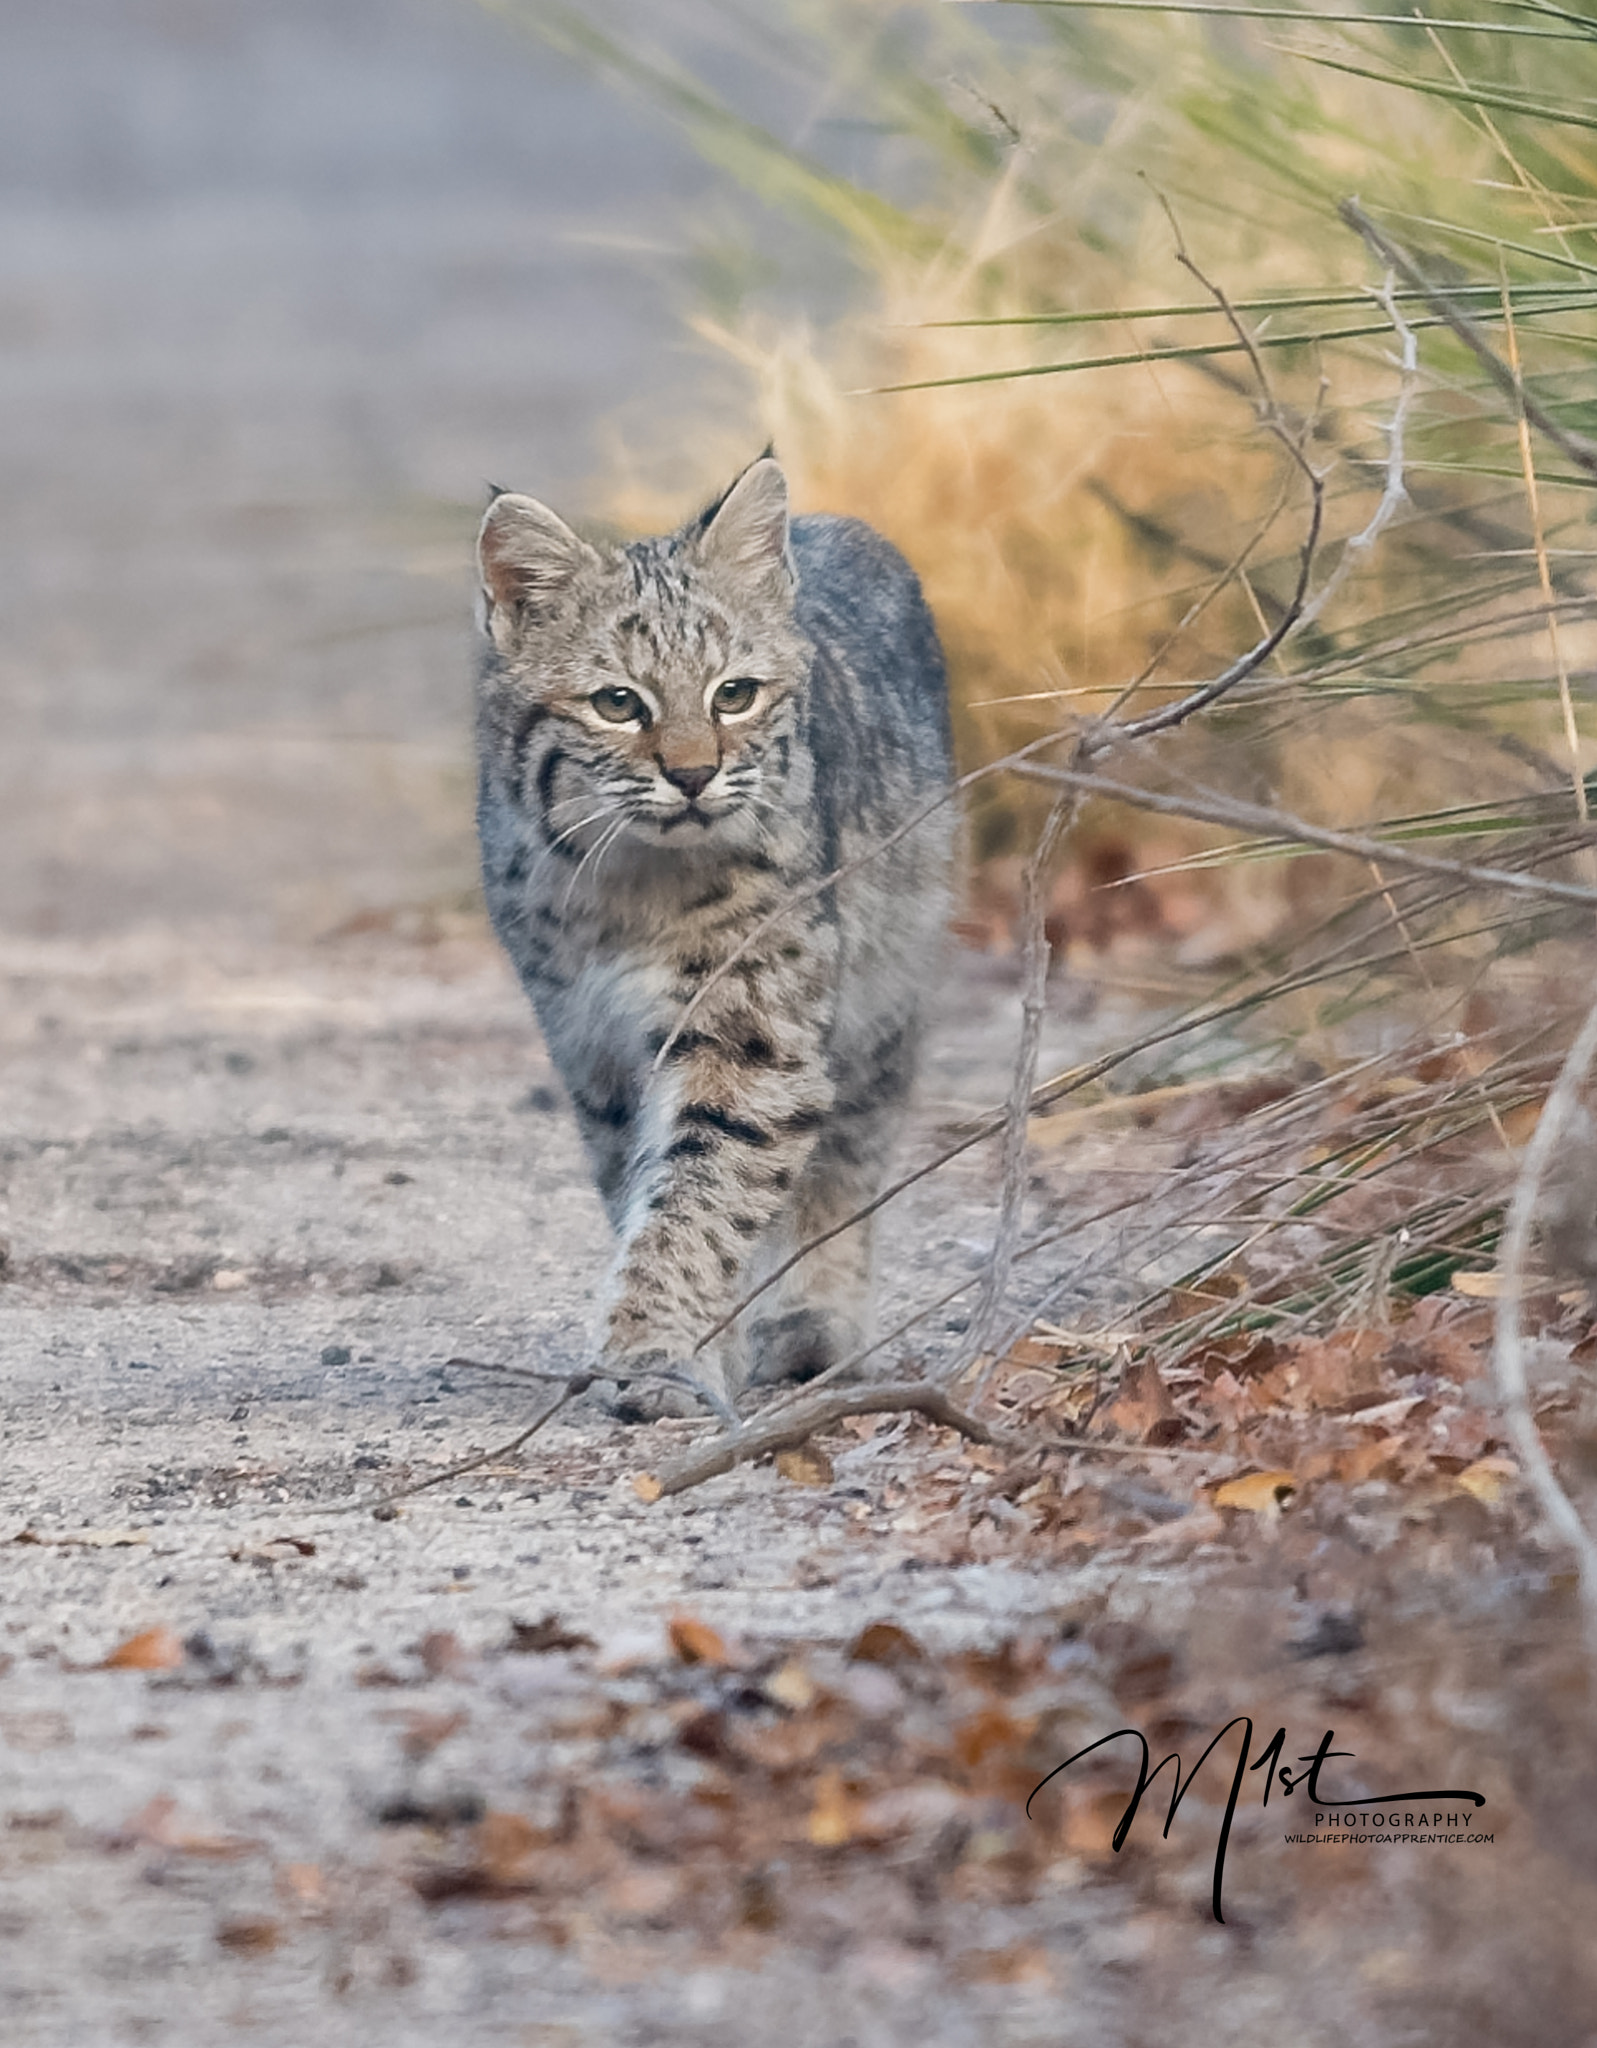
<point>1508,1347</point>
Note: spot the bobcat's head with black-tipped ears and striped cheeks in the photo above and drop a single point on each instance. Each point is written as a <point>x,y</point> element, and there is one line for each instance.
<point>648,689</point>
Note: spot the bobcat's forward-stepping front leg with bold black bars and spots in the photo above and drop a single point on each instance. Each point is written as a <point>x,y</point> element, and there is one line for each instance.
<point>724,1136</point>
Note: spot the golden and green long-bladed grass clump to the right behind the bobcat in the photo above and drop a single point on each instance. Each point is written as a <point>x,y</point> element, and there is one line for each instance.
<point>1086,454</point>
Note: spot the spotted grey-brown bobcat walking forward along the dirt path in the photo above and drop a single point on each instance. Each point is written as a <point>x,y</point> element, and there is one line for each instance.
<point>675,736</point>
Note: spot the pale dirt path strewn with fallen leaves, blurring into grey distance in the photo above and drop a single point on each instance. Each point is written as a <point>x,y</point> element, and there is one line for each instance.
<point>277,290</point>
